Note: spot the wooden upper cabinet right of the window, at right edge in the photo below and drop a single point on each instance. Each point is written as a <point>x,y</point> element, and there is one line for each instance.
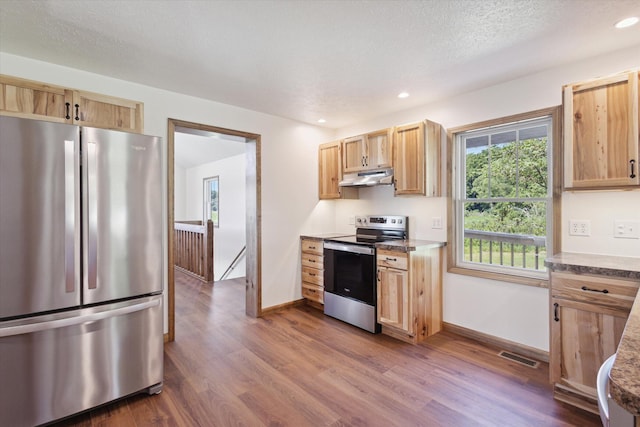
<point>601,133</point>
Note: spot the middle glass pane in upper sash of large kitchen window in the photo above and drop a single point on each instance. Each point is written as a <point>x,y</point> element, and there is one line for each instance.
<point>503,164</point>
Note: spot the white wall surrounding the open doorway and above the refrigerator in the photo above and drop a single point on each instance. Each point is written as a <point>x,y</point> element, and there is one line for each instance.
<point>289,162</point>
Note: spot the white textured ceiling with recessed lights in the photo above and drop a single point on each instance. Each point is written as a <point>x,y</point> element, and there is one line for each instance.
<point>344,61</point>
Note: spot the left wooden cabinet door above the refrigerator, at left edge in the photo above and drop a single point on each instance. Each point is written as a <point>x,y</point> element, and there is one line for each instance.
<point>33,100</point>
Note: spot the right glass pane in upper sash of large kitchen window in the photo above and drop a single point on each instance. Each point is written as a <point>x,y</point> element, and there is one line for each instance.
<point>532,158</point>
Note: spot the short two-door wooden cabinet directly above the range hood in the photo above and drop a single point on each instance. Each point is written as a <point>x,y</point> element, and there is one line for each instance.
<point>367,152</point>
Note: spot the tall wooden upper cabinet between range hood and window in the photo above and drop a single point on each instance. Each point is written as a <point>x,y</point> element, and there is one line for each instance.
<point>416,159</point>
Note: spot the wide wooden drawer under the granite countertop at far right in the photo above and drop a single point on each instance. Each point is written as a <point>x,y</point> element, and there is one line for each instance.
<point>612,292</point>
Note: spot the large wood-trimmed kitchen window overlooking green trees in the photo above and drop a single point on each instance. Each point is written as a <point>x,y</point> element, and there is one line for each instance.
<point>503,198</point>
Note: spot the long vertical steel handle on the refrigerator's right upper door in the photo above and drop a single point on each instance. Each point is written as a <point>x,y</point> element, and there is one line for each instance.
<point>92,215</point>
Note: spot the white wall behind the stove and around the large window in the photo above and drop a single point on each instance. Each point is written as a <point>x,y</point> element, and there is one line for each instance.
<point>514,312</point>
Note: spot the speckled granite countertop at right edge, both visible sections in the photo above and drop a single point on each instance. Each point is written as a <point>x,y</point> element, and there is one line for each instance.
<point>625,374</point>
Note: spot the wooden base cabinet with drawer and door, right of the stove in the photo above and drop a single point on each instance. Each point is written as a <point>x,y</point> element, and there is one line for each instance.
<point>409,292</point>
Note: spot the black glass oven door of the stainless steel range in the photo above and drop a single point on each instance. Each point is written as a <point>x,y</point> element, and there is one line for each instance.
<point>349,271</point>
